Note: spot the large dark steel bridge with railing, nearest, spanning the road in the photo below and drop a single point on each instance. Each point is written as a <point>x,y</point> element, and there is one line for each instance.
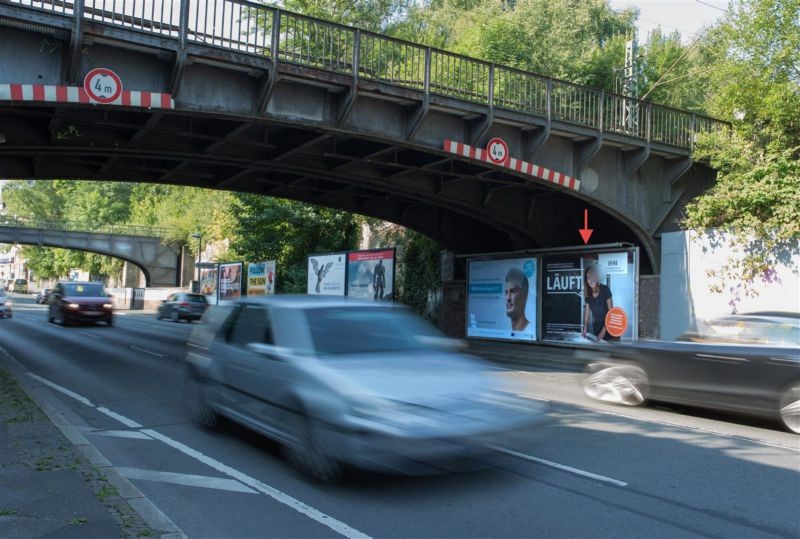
<point>289,106</point>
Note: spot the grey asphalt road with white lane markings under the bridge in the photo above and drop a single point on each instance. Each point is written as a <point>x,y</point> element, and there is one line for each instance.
<point>594,470</point>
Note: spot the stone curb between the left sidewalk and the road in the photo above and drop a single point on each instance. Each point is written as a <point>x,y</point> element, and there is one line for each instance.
<point>140,504</point>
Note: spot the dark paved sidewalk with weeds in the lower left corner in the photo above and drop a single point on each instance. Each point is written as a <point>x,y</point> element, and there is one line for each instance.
<point>48,488</point>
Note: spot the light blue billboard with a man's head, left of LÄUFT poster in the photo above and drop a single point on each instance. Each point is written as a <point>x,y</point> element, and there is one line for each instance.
<point>501,299</point>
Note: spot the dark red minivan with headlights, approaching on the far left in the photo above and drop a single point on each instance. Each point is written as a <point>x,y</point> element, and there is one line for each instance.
<point>73,301</point>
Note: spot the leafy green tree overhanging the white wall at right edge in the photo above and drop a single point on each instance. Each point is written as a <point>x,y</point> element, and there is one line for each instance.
<point>757,194</point>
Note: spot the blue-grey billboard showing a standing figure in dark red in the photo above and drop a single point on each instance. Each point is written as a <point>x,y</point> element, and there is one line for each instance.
<point>370,274</point>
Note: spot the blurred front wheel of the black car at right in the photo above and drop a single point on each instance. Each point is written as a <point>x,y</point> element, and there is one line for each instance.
<point>620,384</point>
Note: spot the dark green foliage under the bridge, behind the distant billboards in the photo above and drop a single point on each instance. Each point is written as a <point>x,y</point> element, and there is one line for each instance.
<point>286,231</point>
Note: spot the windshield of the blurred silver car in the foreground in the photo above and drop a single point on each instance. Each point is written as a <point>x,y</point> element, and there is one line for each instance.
<point>363,330</point>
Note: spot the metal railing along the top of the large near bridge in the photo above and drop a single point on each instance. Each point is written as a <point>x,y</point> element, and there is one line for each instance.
<point>265,31</point>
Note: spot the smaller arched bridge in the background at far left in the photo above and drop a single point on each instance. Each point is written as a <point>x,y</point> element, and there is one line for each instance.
<point>162,264</point>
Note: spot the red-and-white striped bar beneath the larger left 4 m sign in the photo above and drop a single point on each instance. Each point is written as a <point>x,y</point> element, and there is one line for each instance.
<point>76,94</point>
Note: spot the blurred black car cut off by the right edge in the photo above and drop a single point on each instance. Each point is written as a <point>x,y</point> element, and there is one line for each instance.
<point>743,363</point>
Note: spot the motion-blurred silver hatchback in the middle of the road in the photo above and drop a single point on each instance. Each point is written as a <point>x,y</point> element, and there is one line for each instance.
<point>341,382</point>
